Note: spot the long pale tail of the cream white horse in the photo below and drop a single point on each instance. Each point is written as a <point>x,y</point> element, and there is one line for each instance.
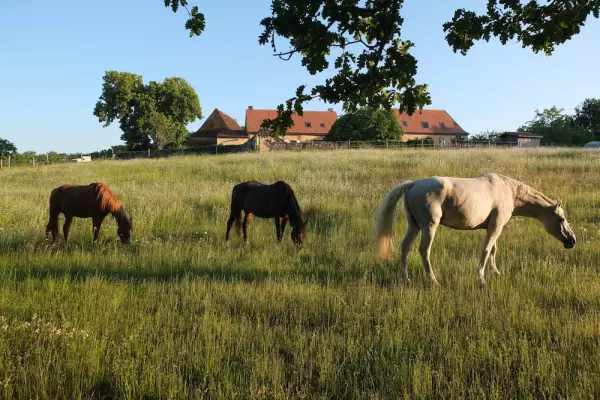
<point>384,244</point>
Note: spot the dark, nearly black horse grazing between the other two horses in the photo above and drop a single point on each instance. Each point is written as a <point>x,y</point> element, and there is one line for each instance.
<point>275,201</point>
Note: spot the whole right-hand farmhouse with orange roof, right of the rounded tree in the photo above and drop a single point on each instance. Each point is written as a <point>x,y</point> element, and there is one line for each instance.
<point>436,124</point>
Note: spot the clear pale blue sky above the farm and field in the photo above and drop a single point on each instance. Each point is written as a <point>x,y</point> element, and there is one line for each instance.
<point>53,55</point>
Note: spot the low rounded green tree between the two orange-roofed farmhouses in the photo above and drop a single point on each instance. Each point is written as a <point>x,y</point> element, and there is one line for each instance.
<point>366,124</point>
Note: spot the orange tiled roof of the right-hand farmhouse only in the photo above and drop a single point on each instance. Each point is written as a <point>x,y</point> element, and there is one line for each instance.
<point>433,122</point>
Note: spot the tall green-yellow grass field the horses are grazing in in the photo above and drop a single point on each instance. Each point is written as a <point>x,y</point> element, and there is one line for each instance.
<point>179,314</point>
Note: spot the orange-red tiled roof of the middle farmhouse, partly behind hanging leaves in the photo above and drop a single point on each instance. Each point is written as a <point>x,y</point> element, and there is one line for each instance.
<point>316,123</point>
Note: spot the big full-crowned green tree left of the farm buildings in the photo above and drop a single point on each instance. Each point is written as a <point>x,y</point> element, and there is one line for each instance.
<point>156,112</point>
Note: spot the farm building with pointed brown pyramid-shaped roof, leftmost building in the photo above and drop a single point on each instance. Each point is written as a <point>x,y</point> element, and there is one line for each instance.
<point>219,128</point>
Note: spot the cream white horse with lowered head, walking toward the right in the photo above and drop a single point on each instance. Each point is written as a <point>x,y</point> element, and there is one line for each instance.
<point>485,202</point>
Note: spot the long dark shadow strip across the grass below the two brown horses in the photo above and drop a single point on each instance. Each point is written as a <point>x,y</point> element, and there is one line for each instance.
<point>324,269</point>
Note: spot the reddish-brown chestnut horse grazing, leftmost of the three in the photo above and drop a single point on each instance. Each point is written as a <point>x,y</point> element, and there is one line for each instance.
<point>94,201</point>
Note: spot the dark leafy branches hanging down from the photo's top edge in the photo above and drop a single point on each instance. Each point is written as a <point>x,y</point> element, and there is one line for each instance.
<point>373,66</point>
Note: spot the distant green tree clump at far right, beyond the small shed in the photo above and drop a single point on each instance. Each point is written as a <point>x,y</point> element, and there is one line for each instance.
<point>557,127</point>
